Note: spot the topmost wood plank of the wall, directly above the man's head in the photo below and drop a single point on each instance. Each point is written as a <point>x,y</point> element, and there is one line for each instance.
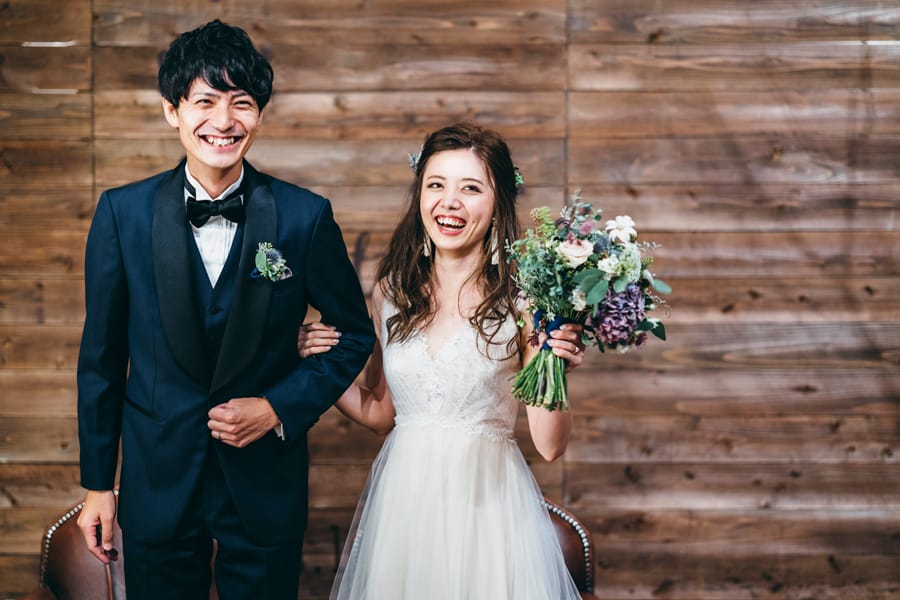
<point>343,22</point>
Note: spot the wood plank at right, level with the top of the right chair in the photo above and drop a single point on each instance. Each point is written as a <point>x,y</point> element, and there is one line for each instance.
<point>761,490</point>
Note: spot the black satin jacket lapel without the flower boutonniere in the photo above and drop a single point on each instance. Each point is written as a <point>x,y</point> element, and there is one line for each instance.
<point>174,277</point>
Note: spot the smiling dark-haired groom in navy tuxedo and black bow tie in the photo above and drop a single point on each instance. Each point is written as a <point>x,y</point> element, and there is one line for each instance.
<point>197,280</point>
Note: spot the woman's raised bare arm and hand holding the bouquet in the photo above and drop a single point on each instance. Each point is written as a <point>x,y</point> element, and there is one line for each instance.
<point>550,430</point>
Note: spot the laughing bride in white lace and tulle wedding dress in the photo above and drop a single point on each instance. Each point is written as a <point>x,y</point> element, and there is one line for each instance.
<point>451,510</point>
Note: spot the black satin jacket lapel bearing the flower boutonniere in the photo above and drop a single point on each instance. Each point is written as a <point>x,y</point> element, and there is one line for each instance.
<point>243,333</point>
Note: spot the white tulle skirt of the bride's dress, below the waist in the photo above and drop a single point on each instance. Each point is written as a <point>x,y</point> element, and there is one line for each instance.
<point>455,514</point>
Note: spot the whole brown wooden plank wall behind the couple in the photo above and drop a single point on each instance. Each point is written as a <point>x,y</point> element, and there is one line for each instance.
<point>753,455</point>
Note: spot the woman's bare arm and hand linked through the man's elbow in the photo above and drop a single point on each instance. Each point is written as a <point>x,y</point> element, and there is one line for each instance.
<point>369,403</point>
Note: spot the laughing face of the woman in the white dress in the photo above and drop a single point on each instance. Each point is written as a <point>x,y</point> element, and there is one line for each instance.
<point>457,202</point>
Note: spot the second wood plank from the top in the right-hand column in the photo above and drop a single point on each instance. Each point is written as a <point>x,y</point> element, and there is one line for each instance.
<point>733,66</point>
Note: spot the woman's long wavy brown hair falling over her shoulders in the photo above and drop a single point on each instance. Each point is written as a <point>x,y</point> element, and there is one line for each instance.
<point>405,272</point>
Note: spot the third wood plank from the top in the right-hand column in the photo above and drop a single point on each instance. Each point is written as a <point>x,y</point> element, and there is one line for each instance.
<point>847,113</point>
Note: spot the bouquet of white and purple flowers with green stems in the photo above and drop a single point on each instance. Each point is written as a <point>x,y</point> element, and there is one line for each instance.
<point>576,270</point>
